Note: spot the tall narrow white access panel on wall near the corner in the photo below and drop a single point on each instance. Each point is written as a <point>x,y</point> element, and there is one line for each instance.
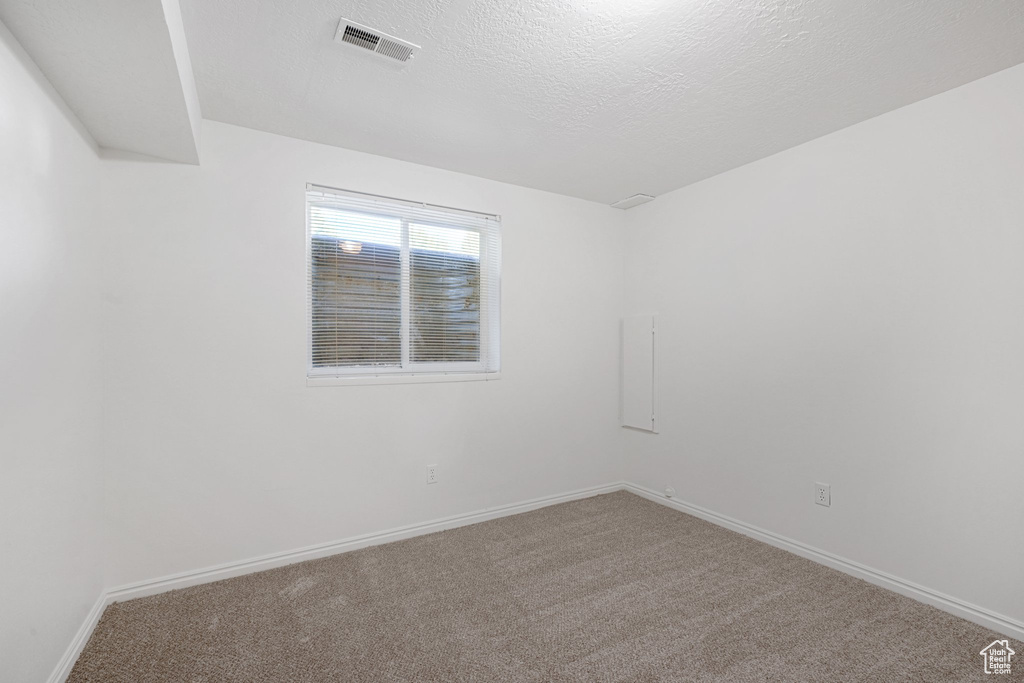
<point>638,373</point>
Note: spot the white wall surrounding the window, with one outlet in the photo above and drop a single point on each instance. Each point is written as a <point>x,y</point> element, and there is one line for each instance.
<point>218,450</point>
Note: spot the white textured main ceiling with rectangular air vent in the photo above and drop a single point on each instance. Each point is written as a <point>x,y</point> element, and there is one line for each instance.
<point>593,99</point>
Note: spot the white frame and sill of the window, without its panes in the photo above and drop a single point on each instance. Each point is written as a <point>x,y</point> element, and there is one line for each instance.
<point>408,372</point>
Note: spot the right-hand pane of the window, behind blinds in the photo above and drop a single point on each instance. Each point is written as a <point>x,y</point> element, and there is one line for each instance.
<point>445,286</point>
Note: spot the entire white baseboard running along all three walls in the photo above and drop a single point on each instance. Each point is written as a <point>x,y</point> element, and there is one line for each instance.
<point>991,620</point>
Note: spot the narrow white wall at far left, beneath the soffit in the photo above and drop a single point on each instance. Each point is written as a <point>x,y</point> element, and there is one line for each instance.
<point>51,469</point>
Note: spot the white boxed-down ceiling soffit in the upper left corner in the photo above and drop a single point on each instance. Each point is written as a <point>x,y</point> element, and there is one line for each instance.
<point>122,66</point>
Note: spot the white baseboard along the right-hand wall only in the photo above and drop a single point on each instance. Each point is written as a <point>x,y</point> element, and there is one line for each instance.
<point>999,623</point>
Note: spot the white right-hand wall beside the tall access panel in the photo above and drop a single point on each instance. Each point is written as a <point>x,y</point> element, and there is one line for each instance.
<point>852,312</point>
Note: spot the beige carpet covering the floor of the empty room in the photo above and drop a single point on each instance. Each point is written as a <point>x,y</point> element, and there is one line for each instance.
<point>612,588</point>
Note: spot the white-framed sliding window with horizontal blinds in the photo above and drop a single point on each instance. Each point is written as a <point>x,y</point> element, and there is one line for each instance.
<point>401,289</point>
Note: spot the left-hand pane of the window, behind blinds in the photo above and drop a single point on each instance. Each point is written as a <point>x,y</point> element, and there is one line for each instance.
<point>356,262</point>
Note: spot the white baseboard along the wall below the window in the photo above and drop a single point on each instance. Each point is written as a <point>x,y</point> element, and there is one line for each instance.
<point>231,570</point>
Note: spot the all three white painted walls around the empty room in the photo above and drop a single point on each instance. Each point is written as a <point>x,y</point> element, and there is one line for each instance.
<point>847,312</point>
